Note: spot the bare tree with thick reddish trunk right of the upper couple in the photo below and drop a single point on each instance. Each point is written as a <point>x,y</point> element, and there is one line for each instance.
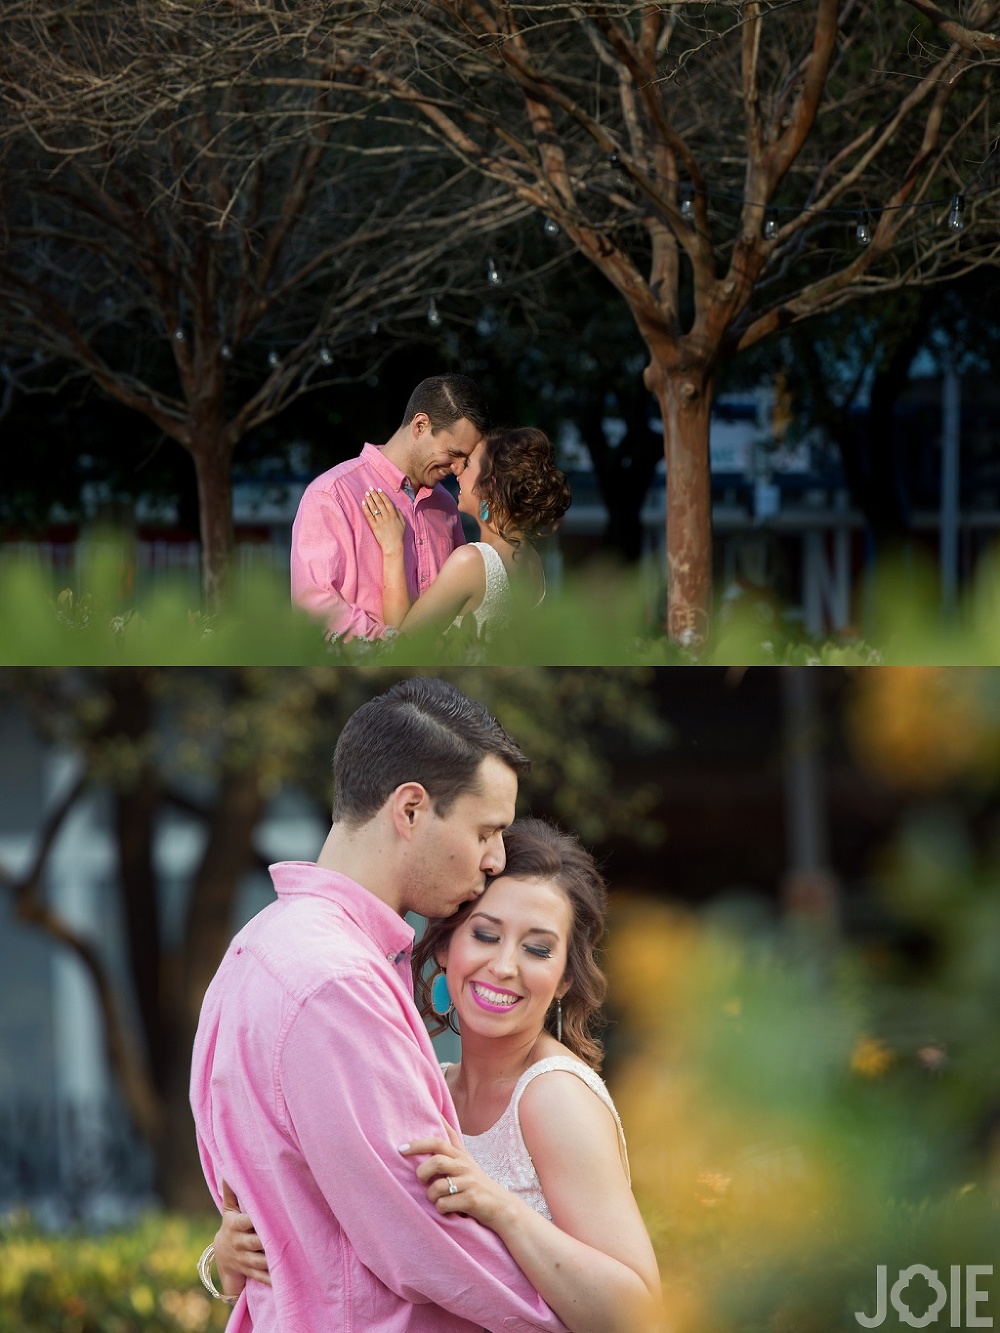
<point>731,169</point>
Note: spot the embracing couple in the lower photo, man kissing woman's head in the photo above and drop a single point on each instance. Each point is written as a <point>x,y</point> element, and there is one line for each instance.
<point>382,1191</point>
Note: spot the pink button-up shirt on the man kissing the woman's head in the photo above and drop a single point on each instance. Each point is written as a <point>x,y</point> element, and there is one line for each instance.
<point>311,1066</point>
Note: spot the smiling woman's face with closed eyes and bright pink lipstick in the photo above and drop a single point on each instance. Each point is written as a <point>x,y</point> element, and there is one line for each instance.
<point>507,960</point>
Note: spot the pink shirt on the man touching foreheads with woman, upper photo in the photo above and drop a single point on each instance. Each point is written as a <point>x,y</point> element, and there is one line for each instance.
<point>337,561</point>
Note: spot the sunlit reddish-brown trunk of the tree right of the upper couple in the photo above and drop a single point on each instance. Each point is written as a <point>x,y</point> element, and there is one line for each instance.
<point>686,403</point>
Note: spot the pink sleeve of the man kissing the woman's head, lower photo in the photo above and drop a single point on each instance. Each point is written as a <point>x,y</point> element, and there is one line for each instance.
<point>355,1084</point>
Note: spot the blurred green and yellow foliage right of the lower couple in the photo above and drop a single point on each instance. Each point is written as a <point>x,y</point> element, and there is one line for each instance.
<point>797,1118</point>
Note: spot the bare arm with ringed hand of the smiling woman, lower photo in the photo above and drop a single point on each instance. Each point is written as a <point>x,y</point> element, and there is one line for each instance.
<point>593,1263</point>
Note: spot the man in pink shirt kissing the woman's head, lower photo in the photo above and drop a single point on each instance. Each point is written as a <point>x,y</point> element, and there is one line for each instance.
<point>313,1066</point>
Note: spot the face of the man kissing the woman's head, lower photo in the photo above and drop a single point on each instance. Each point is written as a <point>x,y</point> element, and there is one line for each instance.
<point>451,856</point>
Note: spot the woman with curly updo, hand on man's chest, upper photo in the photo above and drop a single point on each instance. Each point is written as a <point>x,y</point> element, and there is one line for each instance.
<point>514,490</point>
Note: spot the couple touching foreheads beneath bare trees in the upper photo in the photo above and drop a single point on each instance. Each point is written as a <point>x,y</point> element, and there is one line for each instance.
<point>378,543</point>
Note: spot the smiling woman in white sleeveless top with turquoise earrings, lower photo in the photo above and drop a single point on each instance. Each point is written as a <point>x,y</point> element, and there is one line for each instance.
<point>543,1158</point>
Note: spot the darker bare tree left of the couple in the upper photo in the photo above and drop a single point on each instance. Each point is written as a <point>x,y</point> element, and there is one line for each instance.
<point>202,226</point>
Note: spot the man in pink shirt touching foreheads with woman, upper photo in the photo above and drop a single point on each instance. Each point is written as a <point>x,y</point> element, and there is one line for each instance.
<point>337,561</point>
